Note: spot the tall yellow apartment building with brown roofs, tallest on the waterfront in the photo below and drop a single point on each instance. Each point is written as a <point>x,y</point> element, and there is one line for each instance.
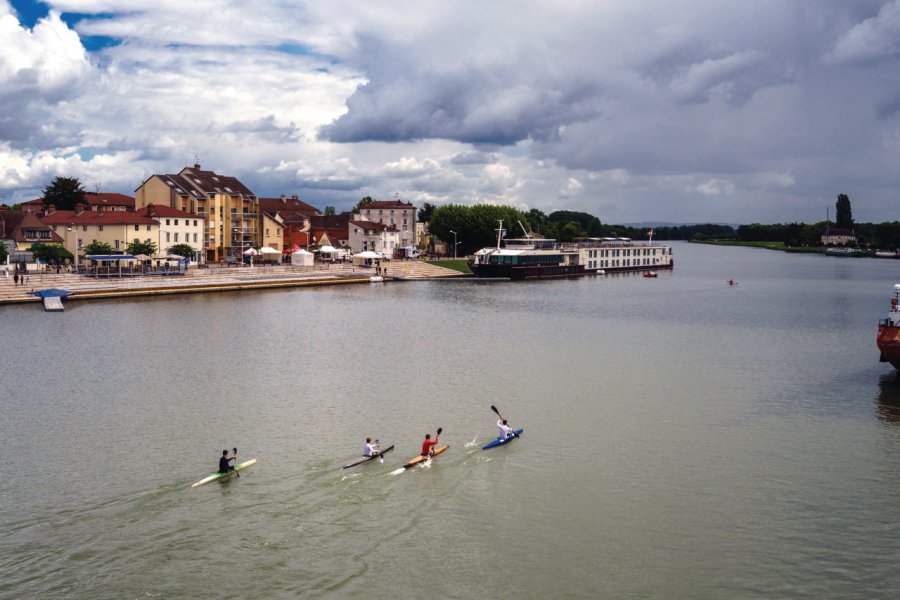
<point>230,209</point>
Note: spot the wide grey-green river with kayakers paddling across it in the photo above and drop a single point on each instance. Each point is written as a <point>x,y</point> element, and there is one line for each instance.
<point>683,439</point>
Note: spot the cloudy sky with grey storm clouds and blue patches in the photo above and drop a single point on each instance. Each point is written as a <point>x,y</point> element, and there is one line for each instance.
<point>633,111</point>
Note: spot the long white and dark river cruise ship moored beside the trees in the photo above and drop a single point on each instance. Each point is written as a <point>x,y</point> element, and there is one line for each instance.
<point>536,258</point>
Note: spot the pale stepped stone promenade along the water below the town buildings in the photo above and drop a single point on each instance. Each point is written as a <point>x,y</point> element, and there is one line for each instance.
<point>213,279</point>
